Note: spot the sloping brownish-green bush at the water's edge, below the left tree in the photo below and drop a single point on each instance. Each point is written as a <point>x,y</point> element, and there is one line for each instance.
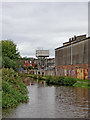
<point>14,90</point>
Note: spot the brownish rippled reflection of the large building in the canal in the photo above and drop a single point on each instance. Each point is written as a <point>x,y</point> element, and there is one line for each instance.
<point>74,101</point>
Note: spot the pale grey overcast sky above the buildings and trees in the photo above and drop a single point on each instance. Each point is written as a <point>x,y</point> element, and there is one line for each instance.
<point>43,25</point>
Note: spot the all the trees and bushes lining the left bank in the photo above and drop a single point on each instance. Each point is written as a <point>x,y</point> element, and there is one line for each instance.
<point>14,90</point>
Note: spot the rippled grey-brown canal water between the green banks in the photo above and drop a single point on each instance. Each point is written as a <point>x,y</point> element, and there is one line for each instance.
<point>51,102</point>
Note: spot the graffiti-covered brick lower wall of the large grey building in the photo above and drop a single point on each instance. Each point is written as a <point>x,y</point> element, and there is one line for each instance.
<point>79,71</point>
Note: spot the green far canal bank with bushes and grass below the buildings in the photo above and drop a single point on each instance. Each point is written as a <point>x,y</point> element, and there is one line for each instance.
<point>61,80</point>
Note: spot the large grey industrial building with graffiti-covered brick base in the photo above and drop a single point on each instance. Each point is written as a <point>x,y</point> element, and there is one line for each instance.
<point>72,59</point>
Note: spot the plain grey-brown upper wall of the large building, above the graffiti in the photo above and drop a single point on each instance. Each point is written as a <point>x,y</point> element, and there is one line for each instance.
<point>79,54</point>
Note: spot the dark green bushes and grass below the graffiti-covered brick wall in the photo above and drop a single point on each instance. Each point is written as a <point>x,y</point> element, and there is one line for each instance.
<point>67,81</point>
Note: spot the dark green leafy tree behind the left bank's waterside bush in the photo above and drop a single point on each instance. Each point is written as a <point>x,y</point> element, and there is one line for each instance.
<point>10,55</point>
